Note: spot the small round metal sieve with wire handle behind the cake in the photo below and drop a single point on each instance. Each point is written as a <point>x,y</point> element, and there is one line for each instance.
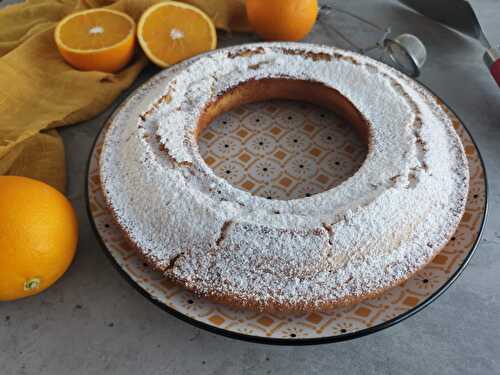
<point>406,52</point>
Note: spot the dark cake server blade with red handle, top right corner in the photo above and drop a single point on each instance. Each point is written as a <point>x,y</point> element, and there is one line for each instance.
<point>459,15</point>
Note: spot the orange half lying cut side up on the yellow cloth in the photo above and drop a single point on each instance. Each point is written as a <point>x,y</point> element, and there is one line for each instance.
<point>96,39</point>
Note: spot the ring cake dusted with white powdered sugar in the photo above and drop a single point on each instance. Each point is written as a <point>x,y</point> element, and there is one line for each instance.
<point>371,232</point>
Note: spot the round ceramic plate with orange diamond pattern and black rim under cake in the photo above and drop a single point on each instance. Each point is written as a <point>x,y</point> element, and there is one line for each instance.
<point>286,150</point>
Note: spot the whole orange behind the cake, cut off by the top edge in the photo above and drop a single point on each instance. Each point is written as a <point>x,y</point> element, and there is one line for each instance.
<point>282,19</point>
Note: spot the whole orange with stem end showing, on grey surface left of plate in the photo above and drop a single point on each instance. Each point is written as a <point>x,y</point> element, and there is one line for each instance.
<point>38,236</point>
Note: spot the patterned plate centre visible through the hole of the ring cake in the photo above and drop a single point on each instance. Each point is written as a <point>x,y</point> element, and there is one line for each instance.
<point>282,149</point>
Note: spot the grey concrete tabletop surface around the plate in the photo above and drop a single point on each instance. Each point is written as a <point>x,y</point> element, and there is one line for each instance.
<point>93,322</point>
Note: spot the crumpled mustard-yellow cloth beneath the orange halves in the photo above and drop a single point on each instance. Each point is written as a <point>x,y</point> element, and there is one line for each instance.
<point>40,92</point>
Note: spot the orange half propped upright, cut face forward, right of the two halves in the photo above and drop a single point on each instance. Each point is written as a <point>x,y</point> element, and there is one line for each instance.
<point>170,32</point>
